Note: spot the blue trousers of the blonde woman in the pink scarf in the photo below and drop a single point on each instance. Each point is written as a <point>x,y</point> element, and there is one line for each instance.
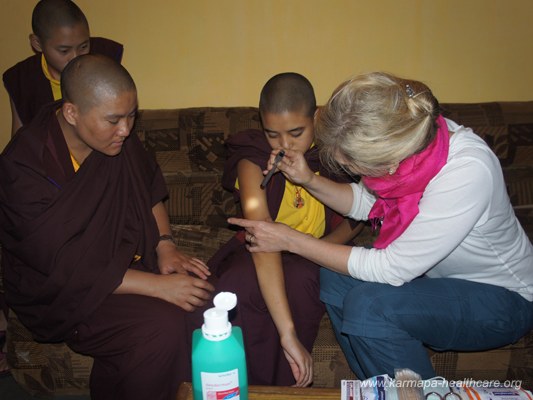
<point>382,327</point>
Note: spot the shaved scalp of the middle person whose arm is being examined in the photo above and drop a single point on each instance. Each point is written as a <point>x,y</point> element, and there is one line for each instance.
<point>290,92</point>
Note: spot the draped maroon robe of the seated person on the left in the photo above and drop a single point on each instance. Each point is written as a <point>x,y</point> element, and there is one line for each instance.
<point>68,239</point>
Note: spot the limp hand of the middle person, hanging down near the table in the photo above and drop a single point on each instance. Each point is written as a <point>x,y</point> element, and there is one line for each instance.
<point>300,361</point>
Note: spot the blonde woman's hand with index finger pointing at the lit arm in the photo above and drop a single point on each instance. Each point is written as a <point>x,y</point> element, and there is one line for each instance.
<point>265,236</point>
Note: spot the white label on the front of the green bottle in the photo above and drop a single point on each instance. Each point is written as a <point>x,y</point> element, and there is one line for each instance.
<point>220,385</point>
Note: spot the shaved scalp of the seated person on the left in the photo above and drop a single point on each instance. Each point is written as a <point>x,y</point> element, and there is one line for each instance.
<point>89,79</point>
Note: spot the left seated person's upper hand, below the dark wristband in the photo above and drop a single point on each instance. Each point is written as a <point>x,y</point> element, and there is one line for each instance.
<point>171,260</point>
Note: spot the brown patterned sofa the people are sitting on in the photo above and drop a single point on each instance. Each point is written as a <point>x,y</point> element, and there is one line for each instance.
<point>189,146</point>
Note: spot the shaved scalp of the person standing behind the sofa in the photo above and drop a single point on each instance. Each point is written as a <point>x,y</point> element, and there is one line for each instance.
<point>51,14</point>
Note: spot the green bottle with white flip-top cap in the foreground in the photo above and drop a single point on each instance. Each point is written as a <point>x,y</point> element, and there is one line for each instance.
<point>218,359</point>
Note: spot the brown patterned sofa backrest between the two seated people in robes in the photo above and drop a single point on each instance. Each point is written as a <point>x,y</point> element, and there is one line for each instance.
<point>189,146</point>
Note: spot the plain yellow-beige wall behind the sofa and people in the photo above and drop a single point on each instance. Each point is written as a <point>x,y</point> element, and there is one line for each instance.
<point>186,53</point>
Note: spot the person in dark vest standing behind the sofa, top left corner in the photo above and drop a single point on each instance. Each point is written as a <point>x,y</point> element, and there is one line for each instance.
<point>60,32</point>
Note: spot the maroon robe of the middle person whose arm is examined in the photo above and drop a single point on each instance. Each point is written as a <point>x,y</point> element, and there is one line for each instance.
<point>235,270</point>
